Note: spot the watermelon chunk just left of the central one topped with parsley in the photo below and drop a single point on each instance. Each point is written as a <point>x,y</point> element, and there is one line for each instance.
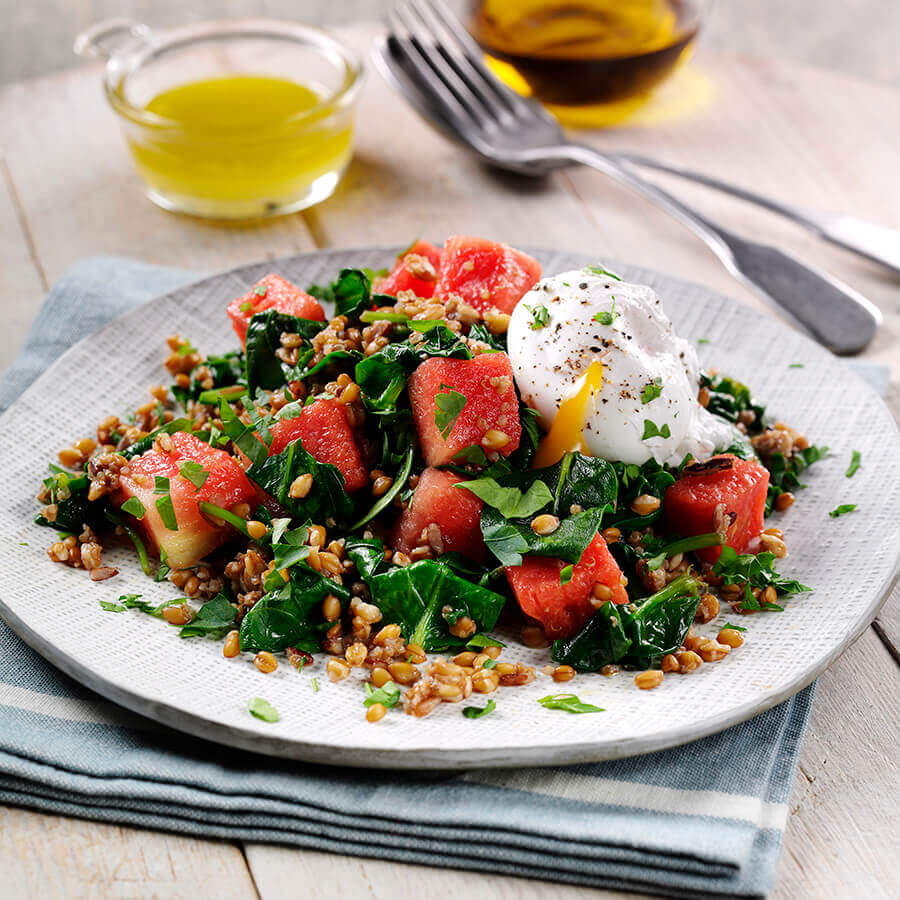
<point>327,436</point>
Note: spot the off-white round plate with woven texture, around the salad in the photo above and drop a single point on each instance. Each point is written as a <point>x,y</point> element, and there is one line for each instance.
<point>141,662</point>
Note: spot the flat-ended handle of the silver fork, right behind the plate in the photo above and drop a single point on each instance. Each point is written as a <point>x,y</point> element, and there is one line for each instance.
<point>833,313</point>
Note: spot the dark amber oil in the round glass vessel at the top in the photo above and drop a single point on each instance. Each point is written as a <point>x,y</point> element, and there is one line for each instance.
<point>574,53</point>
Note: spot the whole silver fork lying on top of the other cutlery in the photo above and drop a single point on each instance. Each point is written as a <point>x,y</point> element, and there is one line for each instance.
<point>434,62</point>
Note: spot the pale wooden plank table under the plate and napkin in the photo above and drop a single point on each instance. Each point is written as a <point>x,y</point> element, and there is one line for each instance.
<point>67,190</point>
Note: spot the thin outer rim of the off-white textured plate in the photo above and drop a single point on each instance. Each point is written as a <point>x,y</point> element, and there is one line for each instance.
<point>414,757</point>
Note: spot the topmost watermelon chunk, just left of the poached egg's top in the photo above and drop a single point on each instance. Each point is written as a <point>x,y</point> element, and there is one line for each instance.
<point>485,274</point>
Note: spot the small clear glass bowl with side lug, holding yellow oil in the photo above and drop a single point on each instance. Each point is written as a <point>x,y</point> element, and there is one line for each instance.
<point>223,171</point>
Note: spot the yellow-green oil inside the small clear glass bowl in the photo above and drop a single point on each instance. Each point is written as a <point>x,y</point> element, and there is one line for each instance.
<point>241,146</point>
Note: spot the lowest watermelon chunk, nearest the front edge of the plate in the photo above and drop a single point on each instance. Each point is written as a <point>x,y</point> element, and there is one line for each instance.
<point>562,609</point>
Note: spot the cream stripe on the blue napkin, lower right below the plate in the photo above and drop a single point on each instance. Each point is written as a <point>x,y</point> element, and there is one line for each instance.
<point>565,784</point>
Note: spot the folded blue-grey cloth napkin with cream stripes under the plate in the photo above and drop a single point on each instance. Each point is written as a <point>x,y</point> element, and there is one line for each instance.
<point>707,817</point>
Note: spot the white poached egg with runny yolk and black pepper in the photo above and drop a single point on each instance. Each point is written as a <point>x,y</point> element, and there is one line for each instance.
<point>599,360</point>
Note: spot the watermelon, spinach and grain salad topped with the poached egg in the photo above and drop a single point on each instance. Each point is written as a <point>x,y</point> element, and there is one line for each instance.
<point>464,446</point>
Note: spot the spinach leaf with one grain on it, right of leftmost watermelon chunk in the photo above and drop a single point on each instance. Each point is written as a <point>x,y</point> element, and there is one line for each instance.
<point>327,497</point>
